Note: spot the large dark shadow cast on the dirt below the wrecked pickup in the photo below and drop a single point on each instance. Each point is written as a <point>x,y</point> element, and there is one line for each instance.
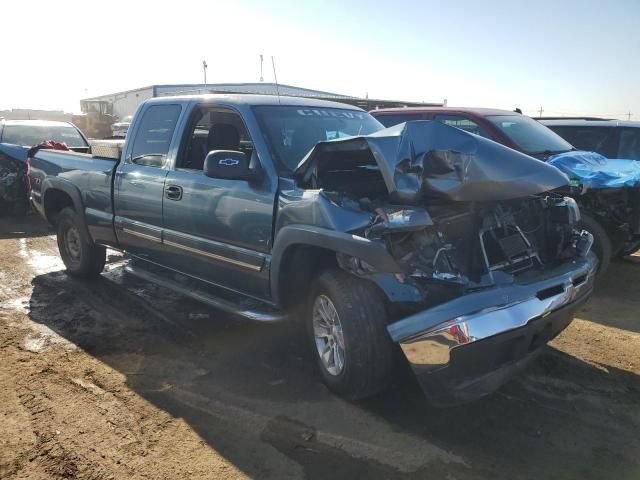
<point>251,392</point>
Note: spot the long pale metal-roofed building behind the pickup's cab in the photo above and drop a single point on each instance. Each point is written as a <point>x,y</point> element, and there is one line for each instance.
<point>125,103</point>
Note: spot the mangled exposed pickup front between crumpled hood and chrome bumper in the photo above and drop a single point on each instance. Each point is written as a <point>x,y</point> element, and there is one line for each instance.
<point>470,245</point>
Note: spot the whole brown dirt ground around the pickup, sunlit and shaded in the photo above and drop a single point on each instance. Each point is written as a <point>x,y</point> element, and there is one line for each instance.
<point>118,378</point>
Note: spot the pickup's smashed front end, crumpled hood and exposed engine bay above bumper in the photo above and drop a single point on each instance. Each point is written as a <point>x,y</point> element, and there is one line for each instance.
<point>455,219</point>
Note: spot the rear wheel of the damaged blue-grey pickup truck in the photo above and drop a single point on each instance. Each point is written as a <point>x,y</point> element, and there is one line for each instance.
<point>80,255</point>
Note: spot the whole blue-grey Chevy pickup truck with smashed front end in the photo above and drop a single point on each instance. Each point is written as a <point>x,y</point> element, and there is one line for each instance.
<point>375,238</point>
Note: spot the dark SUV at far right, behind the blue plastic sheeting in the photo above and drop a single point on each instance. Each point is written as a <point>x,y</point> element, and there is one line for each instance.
<point>611,138</point>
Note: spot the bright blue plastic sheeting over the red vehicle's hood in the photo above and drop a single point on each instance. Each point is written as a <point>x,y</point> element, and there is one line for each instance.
<point>596,171</point>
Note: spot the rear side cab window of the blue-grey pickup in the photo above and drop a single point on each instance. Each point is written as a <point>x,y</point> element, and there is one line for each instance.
<point>153,136</point>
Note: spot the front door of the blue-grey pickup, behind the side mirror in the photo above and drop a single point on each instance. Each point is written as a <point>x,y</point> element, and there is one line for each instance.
<point>218,230</point>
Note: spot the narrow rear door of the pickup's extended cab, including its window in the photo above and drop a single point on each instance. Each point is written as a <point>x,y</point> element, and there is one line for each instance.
<point>139,183</point>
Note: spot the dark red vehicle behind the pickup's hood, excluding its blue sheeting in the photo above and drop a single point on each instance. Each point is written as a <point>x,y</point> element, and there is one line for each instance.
<point>612,215</point>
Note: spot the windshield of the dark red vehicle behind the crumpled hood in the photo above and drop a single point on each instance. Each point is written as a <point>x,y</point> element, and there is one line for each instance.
<point>529,135</point>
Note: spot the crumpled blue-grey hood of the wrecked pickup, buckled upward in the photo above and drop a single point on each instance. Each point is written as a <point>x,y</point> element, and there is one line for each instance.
<point>429,159</point>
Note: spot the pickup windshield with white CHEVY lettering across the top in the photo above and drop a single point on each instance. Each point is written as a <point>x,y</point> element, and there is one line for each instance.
<point>292,131</point>
